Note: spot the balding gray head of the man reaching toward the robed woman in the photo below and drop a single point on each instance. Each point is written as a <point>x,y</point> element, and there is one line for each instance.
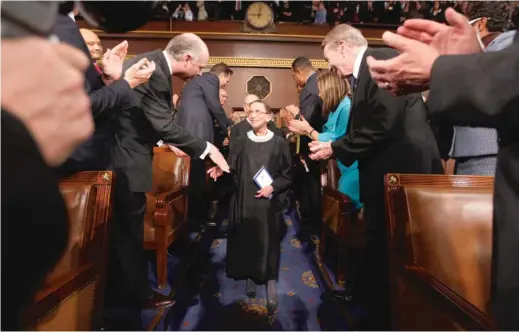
<point>189,55</point>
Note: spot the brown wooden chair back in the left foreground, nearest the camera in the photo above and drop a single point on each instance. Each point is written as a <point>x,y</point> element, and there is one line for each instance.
<point>72,298</point>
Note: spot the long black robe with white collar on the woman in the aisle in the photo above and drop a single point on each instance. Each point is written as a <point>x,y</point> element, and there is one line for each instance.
<point>254,236</point>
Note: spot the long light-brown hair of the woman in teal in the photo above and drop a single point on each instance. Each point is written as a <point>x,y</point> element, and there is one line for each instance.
<point>332,90</point>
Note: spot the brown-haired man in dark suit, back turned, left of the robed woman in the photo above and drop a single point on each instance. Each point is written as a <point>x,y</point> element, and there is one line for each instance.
<point>199,108</point>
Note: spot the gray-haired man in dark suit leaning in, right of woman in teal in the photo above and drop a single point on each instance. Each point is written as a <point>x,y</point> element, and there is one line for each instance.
<point>387,134</point>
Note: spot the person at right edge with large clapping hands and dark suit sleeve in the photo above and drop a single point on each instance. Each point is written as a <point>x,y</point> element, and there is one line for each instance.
<point>485,94</point>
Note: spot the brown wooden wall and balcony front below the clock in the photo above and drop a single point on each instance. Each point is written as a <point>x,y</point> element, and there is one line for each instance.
<point>247,53</point>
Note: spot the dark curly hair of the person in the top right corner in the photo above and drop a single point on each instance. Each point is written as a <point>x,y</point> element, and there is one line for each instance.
<point>496,12</point>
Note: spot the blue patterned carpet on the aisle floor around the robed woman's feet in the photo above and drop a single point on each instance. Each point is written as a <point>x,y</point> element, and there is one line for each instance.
<point>211,301</point>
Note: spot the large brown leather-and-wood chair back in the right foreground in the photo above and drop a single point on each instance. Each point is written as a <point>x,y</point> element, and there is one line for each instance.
<point>440,248</point>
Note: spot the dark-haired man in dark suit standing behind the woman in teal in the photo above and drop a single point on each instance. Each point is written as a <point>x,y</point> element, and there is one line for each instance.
<point>308,188</point>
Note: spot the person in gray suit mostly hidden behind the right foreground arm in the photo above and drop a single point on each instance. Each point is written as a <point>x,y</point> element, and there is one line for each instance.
<point>474,148</point>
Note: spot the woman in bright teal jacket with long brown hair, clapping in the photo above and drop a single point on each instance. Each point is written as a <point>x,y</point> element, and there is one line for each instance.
<point>334,91</point>
